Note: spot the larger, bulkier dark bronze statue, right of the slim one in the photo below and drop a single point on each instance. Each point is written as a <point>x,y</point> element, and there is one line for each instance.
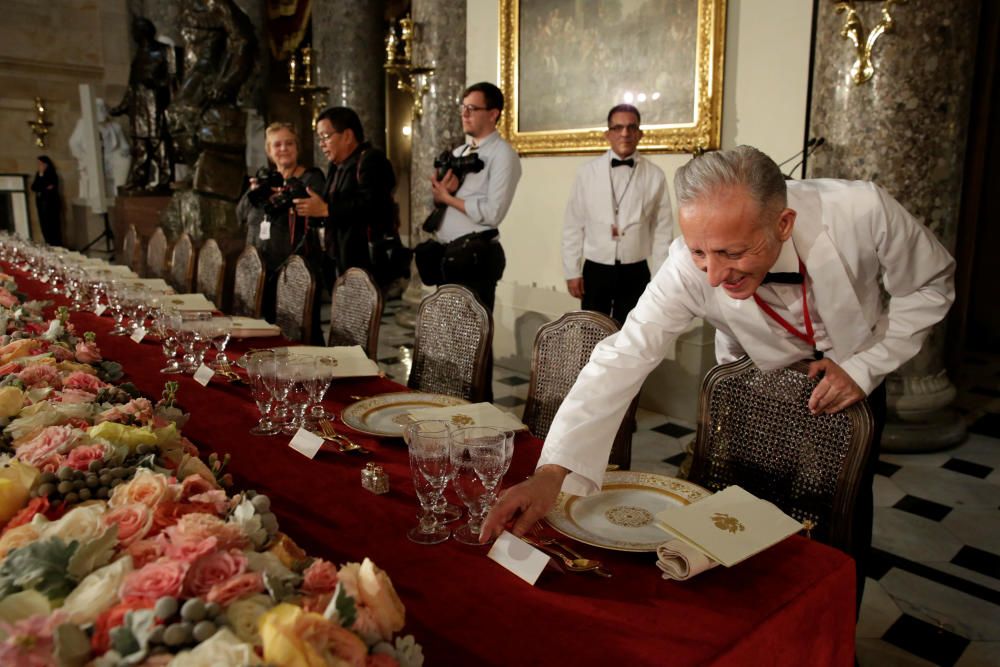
<point>207,127</point>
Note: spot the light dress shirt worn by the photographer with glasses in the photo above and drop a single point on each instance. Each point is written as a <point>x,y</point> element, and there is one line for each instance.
<point>487,194</point>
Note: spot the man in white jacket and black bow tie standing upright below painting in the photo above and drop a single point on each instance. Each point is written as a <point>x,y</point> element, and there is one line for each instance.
<point>618,217</point>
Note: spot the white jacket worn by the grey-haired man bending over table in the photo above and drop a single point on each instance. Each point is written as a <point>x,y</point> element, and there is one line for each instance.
<point>849,235</point>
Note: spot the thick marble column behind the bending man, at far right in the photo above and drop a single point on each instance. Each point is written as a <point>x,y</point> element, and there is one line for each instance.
<point>904,128</point>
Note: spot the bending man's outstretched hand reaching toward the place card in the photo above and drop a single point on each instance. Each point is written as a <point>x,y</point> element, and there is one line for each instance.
<point>525,503</point>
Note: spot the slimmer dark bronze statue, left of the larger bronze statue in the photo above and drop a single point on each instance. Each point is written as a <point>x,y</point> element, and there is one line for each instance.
<point>145,102</point>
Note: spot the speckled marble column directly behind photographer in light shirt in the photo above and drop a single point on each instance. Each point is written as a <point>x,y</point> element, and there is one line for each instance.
<point>439,42</point>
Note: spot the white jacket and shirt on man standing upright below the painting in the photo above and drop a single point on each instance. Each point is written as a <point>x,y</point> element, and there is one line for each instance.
<point>644,218</point>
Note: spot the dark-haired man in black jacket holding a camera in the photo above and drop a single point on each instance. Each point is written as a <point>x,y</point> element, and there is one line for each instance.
<point>357,203</point>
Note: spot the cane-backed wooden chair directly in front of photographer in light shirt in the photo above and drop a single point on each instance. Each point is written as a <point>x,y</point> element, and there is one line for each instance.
<point>452,339</point>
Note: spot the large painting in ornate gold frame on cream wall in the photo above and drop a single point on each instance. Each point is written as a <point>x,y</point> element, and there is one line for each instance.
<point>562,72</point>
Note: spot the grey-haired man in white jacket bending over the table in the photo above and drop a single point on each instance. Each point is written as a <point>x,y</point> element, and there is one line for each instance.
<point>740,221</point>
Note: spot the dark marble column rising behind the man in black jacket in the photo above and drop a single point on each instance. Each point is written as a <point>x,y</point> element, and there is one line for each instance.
<point>348,36</point>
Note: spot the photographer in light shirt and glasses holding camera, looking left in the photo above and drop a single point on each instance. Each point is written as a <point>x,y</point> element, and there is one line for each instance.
<point>473,186</point>
